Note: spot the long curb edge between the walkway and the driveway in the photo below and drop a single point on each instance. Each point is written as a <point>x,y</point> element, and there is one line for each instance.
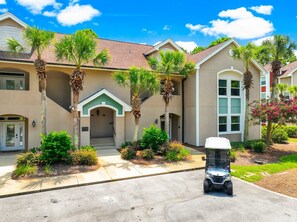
<point>96,182</point>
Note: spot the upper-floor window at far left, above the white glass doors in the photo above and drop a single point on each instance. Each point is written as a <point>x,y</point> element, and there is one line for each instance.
<point>12,81</point>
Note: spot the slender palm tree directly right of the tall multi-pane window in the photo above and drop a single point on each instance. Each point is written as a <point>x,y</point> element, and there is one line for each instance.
<point>246,54</point>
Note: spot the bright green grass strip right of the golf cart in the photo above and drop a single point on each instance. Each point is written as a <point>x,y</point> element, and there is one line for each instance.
<point>255,173</point>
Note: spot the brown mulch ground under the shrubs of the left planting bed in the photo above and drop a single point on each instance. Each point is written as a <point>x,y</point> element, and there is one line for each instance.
<point>59,169</point>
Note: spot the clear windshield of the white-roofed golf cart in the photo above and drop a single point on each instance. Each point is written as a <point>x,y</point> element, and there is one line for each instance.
<point>217,159</point>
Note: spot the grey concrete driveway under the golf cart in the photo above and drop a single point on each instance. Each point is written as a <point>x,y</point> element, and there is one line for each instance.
<point>170,197</point>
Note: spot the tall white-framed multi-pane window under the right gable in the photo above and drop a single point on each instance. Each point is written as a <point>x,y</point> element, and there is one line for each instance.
<point>230,106</point>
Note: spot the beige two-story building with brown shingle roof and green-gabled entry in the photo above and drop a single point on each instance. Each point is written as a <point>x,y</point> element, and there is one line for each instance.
<point>208,103</point>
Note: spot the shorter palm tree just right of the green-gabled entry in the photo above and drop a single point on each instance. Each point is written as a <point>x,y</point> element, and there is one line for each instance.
<point>139,81</point>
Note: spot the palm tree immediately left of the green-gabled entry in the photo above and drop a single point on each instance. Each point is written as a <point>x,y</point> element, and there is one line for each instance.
<point>79,49</point>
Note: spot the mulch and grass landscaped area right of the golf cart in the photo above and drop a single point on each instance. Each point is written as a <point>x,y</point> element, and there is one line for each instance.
<point>278,173</point>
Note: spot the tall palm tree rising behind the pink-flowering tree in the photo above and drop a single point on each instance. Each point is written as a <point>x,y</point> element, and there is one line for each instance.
<point>279,48</point>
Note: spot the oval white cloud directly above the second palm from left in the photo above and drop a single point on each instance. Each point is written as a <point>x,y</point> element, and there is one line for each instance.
<point>75,14</point>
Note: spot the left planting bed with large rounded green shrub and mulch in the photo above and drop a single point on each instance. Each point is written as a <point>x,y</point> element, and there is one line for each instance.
<point>56,156</point>
